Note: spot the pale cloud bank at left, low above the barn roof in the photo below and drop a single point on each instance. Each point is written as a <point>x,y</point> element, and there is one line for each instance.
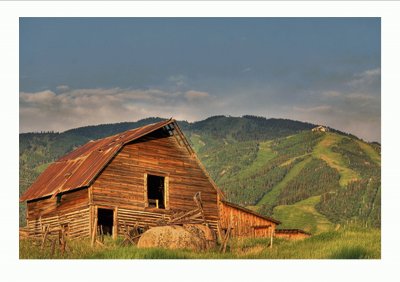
<point>47,110</point>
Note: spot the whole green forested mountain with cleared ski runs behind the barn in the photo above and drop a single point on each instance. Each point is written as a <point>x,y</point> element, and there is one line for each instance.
<point>311,180</point>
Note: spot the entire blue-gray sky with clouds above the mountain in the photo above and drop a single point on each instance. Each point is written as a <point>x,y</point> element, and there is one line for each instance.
<point>84,71</point>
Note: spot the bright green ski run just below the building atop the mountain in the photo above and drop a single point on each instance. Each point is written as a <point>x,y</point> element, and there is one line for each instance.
<point>334,160</point>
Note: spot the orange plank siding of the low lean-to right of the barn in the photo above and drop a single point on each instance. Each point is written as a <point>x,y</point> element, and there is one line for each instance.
<point>245,224</point>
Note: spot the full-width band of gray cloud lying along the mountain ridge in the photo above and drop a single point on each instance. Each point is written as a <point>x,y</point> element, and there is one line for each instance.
<point>352,106</point>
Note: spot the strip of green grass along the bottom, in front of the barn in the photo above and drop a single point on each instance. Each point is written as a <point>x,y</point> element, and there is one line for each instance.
<point>349,243</point>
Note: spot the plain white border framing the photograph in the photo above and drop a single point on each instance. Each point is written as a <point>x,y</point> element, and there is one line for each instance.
<point>185,270</point>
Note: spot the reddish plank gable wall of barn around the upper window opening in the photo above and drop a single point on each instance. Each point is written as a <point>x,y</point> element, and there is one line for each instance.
<point>122,183</point>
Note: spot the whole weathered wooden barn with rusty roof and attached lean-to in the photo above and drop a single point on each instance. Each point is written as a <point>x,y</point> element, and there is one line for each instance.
<point>146,177</point>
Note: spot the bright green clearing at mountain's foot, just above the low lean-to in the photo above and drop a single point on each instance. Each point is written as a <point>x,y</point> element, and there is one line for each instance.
<point>303,215</point>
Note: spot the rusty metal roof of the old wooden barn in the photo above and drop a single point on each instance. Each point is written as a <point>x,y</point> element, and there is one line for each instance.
<point>81,166</point>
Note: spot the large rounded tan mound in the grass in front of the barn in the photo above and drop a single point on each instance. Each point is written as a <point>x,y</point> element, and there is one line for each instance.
<point>194,237</point>
